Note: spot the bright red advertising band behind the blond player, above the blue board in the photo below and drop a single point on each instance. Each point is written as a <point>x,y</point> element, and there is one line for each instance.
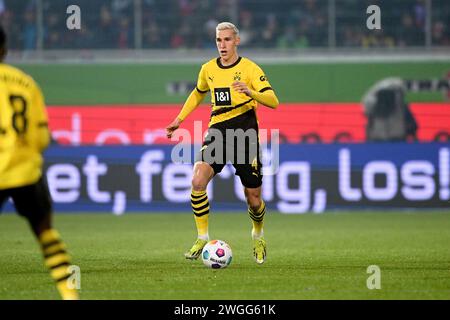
<point>307,122</point>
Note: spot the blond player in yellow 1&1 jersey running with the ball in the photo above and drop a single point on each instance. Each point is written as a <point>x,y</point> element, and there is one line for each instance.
<point>237,85</point>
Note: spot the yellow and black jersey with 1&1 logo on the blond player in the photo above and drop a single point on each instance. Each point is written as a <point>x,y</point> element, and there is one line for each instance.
<point>226,103</point>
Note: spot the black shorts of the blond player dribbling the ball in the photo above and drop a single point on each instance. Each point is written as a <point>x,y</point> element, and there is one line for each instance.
<point>237,141</point>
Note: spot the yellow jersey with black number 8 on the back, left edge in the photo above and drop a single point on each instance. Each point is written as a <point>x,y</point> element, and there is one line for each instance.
<point>24,130</point>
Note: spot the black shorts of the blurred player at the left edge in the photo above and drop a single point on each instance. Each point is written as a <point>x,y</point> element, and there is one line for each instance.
<point>31,201</point>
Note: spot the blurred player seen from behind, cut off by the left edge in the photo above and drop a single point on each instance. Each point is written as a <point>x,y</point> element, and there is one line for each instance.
<point>24,135</point>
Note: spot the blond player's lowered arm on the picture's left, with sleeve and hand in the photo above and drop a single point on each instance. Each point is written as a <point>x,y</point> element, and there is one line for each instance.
<point>193,101</point>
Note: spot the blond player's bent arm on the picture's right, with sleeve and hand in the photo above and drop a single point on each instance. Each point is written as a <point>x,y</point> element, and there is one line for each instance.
<point>261,89</point>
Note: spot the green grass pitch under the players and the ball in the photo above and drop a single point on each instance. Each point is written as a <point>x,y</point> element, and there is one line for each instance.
<point>310,256</point>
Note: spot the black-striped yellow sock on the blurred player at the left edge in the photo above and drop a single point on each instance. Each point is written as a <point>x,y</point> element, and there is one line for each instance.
<point>58,262</point>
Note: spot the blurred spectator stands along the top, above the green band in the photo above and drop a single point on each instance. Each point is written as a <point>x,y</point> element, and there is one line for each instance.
<point>184,24</point>
